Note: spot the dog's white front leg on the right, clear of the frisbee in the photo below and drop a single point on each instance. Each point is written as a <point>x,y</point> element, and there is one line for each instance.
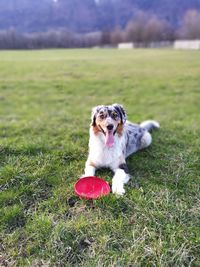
<point>120,178</point>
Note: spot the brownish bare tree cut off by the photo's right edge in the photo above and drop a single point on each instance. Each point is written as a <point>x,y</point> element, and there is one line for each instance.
<point>191,25</point>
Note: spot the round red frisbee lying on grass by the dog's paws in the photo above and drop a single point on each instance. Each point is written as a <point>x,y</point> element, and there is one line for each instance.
<point>91,187</point>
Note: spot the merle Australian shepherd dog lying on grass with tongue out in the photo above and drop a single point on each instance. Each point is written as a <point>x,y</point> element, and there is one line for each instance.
<point>112,140</point>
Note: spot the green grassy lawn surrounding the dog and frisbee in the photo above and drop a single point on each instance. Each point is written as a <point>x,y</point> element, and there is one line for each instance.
<point>45,103</point>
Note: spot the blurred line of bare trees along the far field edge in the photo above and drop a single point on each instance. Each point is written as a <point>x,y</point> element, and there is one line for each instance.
<point>145,28</point>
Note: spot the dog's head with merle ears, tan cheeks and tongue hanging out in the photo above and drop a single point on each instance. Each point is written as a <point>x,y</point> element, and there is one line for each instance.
<point>109,120</point>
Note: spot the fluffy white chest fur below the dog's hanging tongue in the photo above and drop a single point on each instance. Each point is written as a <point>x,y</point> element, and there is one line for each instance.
<point>103,156</point>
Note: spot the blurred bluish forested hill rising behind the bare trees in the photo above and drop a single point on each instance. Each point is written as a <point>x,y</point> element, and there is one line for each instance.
<point>88,15</point>
